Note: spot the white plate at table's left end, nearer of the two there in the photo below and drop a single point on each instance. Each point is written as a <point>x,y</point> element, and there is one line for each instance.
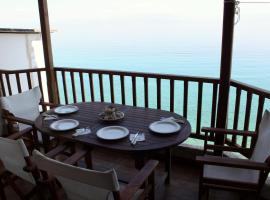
<point>64,124</point>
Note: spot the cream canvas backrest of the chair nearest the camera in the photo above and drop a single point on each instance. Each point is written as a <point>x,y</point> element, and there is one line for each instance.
<point>79,183</point>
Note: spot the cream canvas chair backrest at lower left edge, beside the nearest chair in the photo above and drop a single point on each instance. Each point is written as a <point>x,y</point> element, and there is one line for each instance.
<point>12,155</point>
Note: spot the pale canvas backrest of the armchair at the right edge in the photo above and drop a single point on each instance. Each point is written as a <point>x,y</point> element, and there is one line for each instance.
<point>262,147</point>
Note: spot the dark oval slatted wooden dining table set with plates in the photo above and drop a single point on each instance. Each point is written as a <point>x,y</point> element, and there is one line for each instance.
<point>136,119</point>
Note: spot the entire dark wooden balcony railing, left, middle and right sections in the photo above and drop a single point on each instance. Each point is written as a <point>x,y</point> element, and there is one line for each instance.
<point>193,97</point>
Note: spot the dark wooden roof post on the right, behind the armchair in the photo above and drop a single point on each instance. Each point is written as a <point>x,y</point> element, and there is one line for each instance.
<point>225,68</point>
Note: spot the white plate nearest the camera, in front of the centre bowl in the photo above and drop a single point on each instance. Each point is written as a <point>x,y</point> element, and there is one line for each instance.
<point>112,132</point>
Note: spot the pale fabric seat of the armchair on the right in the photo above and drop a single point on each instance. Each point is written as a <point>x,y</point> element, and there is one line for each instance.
<point>231,174</point>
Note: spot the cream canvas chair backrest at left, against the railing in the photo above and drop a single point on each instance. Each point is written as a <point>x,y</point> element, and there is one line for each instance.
<point>24,105</point>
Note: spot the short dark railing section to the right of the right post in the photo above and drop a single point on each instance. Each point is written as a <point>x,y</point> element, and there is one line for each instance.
<point>247,106</point>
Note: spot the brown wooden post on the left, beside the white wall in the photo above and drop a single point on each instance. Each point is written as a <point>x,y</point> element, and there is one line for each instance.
<point>47,48</point>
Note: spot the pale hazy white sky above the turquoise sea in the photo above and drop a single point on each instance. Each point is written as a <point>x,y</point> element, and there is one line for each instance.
<point>142,20</point>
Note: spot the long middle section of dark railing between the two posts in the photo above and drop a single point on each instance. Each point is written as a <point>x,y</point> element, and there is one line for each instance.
<point>139,89</point>
